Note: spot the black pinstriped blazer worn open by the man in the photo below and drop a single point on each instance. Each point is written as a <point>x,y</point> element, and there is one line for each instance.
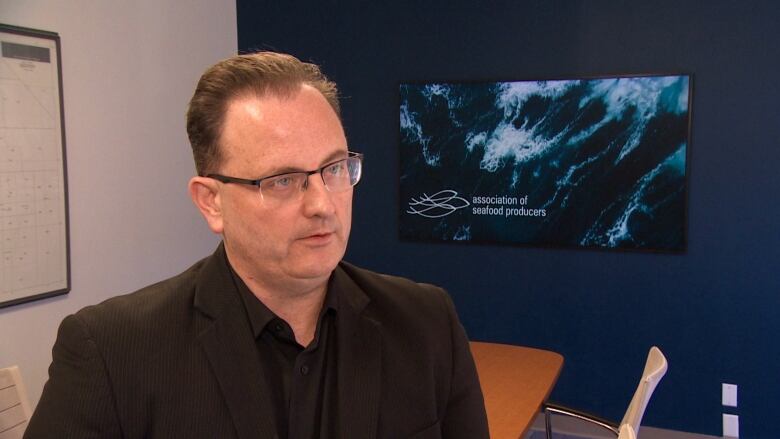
<point>178,359</point>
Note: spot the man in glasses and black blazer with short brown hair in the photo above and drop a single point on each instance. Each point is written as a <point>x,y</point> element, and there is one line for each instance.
<point>273,336</point>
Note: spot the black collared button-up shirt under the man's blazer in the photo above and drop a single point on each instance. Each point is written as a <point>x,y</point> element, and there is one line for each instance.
<point>302,379</point>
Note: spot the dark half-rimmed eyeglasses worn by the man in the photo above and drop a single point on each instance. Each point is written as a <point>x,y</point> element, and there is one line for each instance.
<point>278,189</point>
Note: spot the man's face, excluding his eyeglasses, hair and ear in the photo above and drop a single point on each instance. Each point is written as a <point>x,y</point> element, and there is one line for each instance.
<point>303,239</point>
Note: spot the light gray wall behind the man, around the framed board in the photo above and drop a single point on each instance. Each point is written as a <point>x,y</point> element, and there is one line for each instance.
<point>129,69</point>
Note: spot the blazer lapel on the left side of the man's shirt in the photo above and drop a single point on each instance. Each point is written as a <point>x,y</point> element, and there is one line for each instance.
<point>229,345</point>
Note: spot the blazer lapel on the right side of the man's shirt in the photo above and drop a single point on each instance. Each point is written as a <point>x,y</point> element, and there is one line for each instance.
<point>359,361</point>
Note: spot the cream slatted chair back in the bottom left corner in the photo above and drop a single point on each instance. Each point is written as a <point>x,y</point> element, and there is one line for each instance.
<point>14,406</point>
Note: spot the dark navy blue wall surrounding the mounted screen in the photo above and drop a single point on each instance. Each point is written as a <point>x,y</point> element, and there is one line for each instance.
<point>713,311</point>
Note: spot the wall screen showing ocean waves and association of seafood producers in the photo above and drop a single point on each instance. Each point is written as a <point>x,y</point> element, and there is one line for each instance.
<point>597,163</point>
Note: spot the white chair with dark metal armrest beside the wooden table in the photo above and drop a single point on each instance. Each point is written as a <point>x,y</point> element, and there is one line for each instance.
<point>655,368</point>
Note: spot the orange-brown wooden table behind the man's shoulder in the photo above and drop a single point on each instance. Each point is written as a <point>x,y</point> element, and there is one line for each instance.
<point>515,382</point>
